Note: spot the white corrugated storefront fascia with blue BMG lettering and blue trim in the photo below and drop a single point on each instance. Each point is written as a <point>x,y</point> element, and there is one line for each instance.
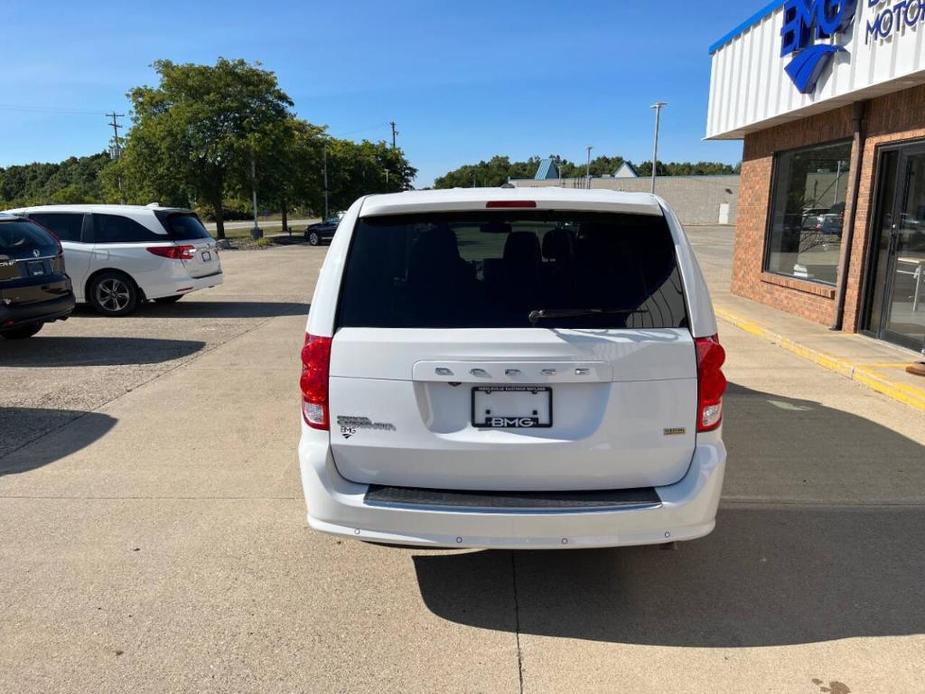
<point>795,58</point>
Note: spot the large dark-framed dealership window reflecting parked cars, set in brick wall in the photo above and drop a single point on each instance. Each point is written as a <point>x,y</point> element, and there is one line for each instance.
<point>807,213</point>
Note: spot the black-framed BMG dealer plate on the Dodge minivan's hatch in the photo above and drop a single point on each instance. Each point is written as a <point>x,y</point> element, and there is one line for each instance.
<point>512,407</point>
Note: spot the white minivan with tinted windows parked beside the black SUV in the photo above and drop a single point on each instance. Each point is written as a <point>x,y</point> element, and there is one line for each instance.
<point>121,255</point>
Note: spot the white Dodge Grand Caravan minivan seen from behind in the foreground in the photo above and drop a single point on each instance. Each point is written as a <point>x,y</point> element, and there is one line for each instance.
<point>512,368</point>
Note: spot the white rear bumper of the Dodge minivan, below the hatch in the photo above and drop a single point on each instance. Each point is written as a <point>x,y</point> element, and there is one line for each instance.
<point>337,506</point>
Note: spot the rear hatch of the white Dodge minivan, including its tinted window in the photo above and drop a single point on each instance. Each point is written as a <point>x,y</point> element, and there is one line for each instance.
<point>513,349</point>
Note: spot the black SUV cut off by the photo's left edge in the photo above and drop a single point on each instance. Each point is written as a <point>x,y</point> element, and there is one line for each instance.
<point>34,288</point>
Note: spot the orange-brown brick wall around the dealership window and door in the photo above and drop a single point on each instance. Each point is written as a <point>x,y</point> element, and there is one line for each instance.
<point>892,118</point>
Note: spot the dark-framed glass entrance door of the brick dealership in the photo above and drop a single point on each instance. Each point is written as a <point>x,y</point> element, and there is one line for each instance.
<point>897,306</point>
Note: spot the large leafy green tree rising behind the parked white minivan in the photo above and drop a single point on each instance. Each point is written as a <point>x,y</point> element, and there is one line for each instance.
<point>194,135</point>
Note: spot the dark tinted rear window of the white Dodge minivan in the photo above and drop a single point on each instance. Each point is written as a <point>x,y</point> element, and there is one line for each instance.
<point>549,269</point>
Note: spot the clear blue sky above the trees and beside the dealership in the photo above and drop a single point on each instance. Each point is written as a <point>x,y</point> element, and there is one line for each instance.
<point>463,80</point>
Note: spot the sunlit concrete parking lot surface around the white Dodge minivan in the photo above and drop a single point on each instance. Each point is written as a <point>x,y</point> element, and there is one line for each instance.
<point>153,535</point>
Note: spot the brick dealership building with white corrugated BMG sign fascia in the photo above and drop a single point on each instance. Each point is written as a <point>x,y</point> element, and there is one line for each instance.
<point>829,98</point>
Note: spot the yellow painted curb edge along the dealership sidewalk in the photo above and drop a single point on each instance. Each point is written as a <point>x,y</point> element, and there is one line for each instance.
<point>900,392</point>
